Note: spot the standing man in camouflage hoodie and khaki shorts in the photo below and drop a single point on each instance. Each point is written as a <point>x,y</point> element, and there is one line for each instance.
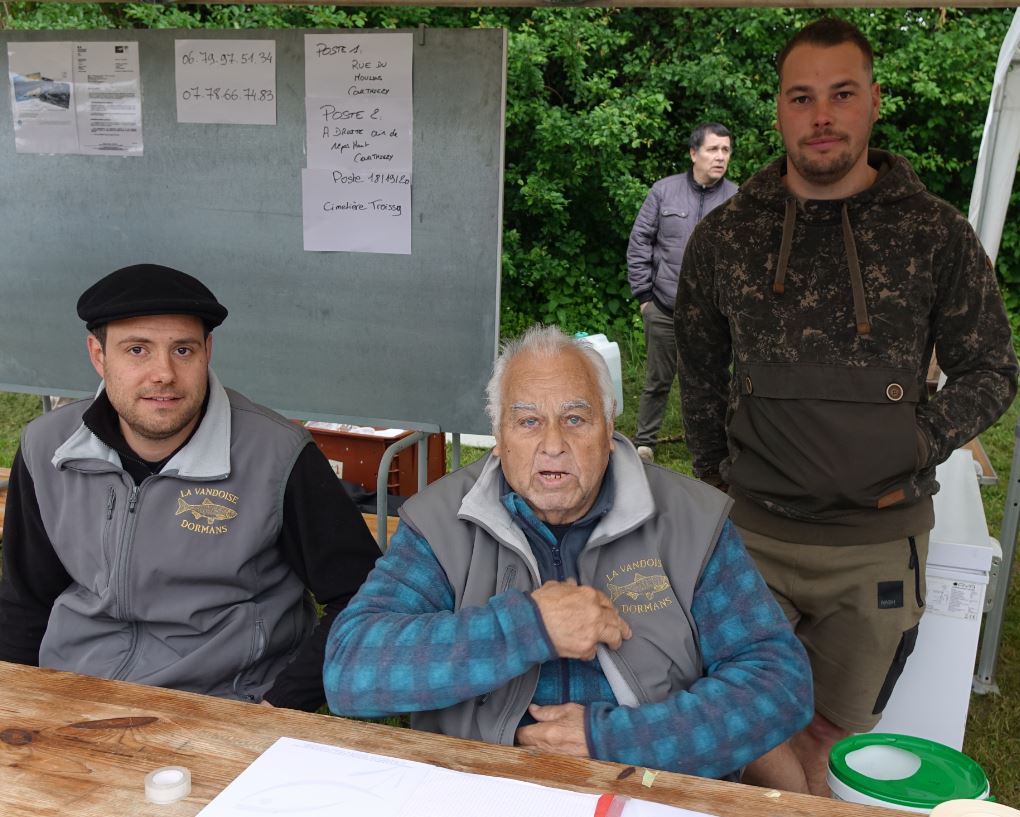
<point>807,313</point>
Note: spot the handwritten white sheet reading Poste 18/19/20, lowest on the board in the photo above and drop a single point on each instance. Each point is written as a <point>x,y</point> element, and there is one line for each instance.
<point>352,212</point>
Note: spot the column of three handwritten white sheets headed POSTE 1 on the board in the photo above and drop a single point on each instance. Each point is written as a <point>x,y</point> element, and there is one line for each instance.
<point>356,191</point>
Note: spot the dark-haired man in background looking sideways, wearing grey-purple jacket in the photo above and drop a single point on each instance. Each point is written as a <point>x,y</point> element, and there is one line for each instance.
<point>666,222</point>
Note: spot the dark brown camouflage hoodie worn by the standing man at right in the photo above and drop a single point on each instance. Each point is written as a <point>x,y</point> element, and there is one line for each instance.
<point>804,331</point>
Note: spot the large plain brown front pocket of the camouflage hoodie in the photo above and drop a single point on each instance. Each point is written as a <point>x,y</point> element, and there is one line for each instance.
<point>815,442</point>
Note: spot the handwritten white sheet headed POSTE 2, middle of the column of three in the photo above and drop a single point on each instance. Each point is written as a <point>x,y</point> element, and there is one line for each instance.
<point>359,136</point>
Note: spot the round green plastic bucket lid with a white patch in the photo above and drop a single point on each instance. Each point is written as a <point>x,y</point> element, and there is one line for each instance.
<point>924,774</point>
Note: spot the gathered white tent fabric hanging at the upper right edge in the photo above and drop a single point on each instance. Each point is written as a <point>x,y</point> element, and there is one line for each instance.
<point>997,163</point>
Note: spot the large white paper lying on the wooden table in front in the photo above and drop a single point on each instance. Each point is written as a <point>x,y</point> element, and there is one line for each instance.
<point>299,778</point>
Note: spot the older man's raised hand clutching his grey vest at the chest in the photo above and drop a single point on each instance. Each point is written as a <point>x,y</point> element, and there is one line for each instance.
<point>579,620</point>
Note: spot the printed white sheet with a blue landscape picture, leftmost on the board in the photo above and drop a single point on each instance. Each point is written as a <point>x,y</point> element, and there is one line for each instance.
<point>42,97</point>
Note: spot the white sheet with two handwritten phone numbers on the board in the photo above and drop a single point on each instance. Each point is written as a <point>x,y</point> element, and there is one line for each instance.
<point>229,82</point>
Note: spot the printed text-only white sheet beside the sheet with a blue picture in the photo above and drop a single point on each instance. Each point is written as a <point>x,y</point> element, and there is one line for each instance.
<point>109,98</point>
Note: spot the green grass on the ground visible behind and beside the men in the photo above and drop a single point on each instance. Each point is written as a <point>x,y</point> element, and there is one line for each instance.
<point>994,723</point>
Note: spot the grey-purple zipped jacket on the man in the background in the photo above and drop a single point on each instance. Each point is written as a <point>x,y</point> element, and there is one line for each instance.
<point>673,209</point>
